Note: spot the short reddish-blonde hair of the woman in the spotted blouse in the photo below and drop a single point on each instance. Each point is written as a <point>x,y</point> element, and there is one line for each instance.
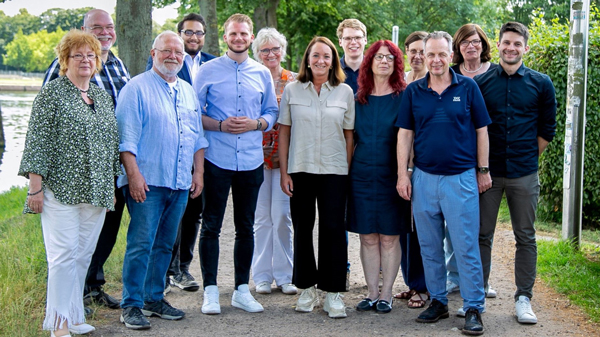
<point>75,39</point>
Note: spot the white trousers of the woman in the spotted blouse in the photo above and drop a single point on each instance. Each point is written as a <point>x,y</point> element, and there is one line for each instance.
<point>70,236</point>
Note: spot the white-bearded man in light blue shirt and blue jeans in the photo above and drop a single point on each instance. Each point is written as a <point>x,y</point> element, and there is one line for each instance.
<point>161,139</point>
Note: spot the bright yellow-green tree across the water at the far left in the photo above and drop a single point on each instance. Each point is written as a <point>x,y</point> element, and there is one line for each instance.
<point>32,52</point>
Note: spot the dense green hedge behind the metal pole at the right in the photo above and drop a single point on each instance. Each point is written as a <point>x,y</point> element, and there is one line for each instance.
<point>548,54</point>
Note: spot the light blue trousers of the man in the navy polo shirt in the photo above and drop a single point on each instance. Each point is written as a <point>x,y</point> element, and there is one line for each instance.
<point>455,199</point>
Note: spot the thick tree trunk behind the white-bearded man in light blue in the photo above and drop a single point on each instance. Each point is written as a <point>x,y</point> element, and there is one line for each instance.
<point>134,32</point>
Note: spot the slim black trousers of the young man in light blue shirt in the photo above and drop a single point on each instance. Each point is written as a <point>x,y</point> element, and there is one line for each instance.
<point>245,186</point>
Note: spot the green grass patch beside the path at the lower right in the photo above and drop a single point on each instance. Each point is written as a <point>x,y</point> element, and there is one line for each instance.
<point>571,273</point>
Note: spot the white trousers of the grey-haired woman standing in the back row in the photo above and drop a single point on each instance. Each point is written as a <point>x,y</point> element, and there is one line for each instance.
<point>273,245</point>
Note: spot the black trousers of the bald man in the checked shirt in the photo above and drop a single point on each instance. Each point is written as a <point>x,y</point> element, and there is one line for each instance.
<point>106,242</point>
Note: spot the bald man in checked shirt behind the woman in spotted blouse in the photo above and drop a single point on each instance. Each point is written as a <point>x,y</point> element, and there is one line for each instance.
<point>112,77</point>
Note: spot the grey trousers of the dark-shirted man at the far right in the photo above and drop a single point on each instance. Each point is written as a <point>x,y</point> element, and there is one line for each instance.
<point>522,198</point>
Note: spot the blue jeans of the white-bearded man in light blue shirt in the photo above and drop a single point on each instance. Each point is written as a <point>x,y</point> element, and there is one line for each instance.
<point>150,238</point>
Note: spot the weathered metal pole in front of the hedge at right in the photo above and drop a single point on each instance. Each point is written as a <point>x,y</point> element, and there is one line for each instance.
<point>575,122</point>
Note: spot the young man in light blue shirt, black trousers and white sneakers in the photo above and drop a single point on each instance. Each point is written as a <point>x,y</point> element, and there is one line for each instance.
<point>240,103</point>
